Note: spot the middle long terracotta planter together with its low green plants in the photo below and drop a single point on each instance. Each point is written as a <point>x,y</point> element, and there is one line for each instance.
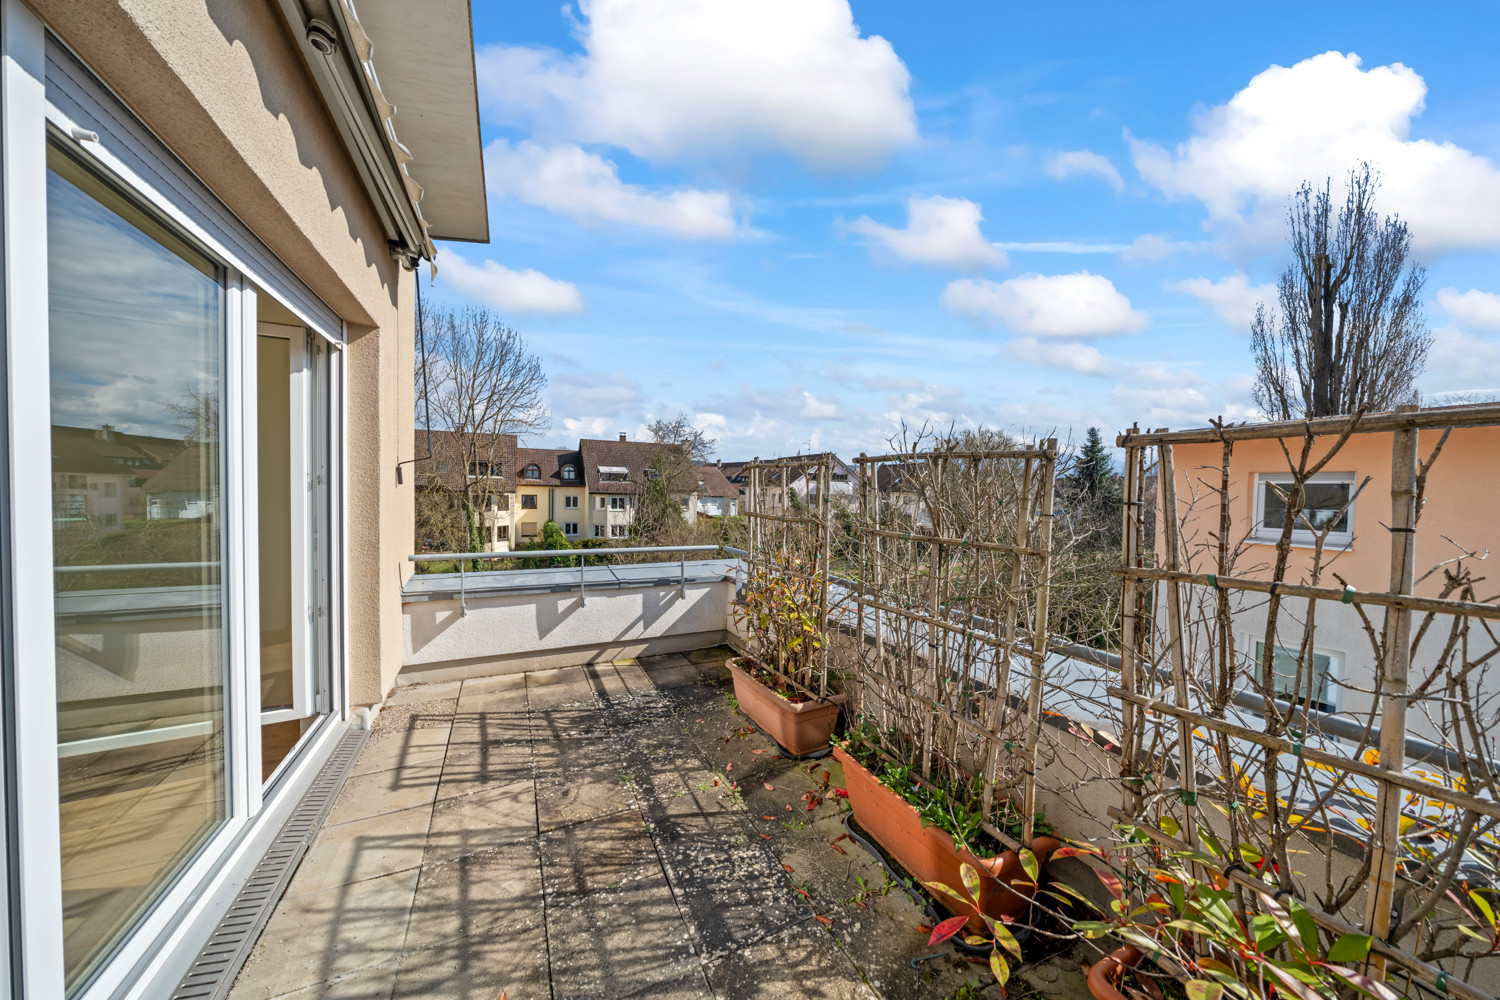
<point>934,833</point>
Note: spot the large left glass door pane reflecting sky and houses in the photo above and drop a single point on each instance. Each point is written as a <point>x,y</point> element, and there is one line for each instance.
<point>136,328</point>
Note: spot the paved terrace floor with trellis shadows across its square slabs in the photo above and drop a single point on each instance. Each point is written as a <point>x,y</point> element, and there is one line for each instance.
<point>572,834</point>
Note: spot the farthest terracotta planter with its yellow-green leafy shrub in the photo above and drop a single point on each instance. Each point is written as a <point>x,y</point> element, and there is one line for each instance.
<point>781,615</point>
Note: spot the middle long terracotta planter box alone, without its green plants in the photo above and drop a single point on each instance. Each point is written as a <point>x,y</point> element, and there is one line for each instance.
<point>928,852</point>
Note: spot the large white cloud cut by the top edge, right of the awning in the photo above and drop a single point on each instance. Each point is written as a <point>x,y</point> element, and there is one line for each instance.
<point>671,79</point>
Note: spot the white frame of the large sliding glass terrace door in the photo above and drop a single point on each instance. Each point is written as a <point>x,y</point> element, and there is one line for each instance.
<point>46,91</point>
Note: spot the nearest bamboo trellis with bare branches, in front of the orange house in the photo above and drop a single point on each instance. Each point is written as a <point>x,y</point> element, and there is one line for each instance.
<point>1274,792</point>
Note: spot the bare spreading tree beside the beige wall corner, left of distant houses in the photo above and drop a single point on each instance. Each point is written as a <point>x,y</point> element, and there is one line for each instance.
<point>482,382</point>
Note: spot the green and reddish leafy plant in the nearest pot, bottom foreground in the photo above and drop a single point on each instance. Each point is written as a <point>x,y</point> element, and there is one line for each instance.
<point>1196,933</point>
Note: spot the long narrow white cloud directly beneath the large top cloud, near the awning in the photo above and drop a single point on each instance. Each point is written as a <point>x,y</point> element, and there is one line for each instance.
<point>574,182</point>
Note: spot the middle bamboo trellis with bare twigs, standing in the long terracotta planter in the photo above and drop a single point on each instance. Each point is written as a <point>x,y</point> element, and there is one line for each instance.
<point>934,558</point>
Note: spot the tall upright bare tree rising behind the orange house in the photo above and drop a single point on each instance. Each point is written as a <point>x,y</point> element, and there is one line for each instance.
<point>1348,329</point>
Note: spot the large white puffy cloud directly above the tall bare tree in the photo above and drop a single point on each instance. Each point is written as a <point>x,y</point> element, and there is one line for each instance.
<point>1318,119</point>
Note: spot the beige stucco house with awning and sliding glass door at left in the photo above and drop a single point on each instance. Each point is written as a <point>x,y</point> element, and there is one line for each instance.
<point>212,218</point>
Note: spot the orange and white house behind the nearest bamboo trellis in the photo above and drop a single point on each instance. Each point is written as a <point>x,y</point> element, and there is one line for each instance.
<point>1352,499</point>
